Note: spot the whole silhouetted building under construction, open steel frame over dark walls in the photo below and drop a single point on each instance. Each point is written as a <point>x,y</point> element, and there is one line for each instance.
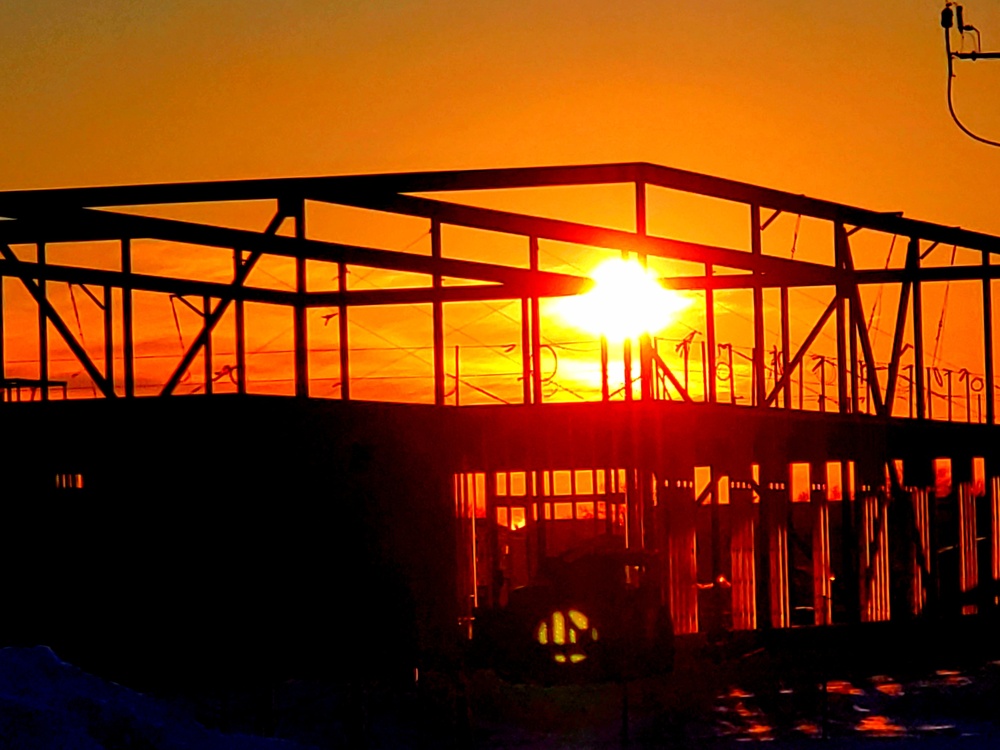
<point>798,471</point>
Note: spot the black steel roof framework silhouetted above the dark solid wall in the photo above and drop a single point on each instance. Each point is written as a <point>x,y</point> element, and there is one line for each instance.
<point>42,217</point>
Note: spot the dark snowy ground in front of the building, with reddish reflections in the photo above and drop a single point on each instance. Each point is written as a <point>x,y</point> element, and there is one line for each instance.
<point>893,690</point>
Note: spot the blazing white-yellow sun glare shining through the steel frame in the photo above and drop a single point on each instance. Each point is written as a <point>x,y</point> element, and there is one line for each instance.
<point>626,301</point>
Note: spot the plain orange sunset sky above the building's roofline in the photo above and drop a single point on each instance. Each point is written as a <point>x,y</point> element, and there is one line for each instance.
<point>843,101</point>
